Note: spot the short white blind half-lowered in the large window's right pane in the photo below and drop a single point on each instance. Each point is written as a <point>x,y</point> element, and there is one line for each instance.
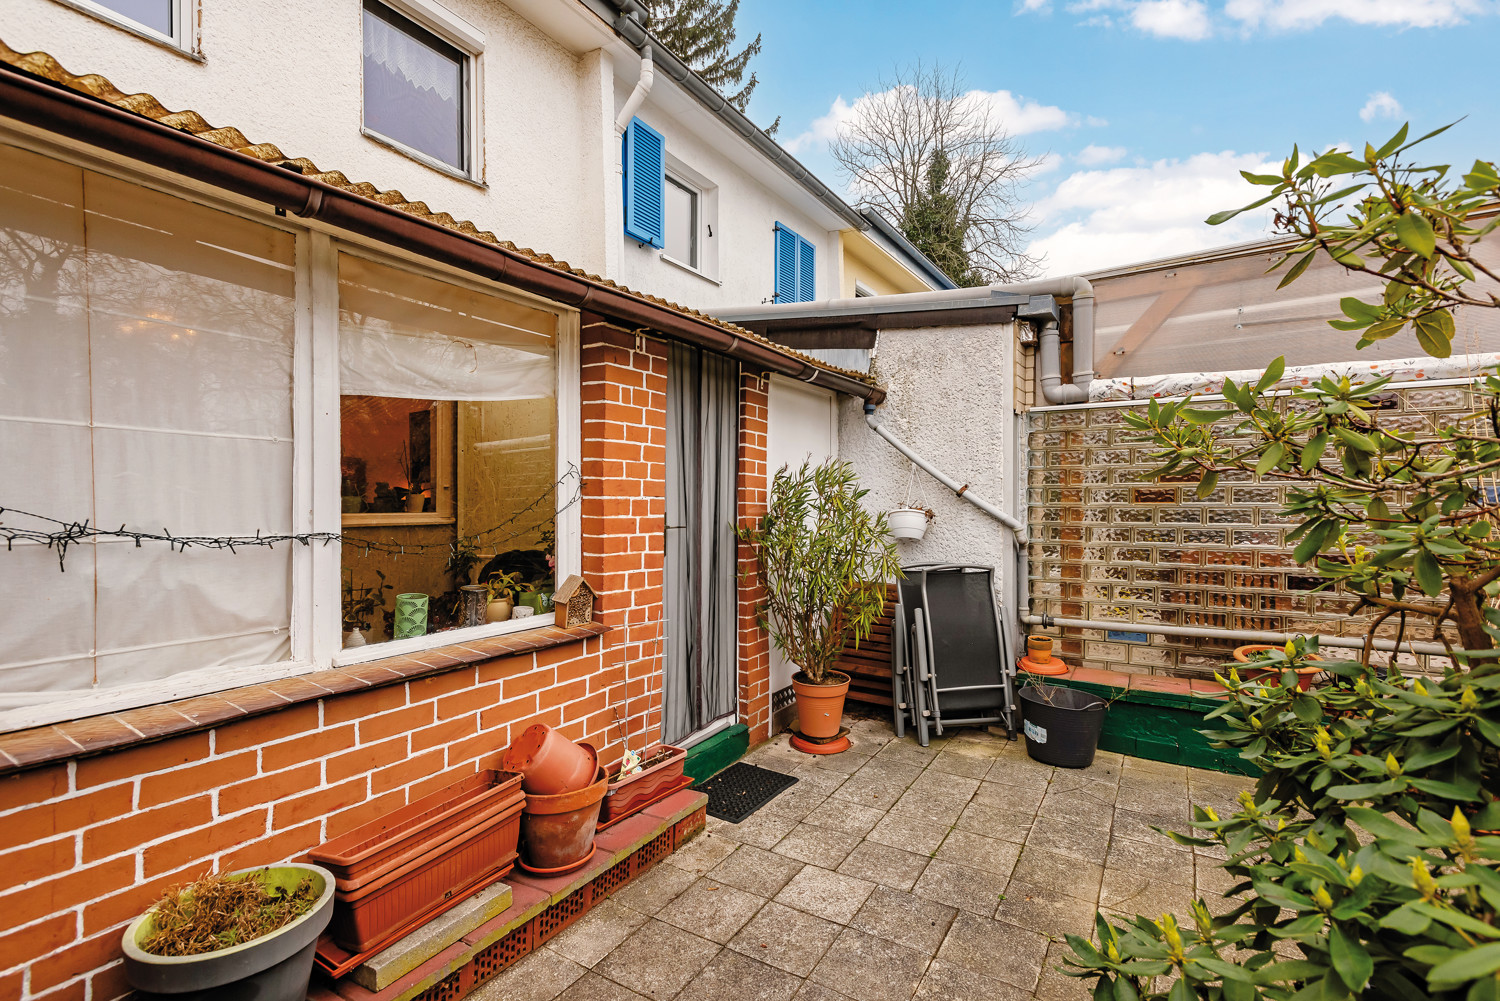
<point>419,338</point>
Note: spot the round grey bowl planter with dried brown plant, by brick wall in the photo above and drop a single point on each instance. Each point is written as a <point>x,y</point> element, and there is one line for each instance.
<point>247,934</point>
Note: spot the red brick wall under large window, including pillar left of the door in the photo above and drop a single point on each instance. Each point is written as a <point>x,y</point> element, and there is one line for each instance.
<point>88,844</point>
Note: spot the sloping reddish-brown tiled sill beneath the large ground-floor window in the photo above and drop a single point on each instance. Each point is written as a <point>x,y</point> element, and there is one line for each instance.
<point>101,735</point>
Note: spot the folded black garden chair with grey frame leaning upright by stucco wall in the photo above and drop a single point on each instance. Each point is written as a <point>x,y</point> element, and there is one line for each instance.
<point>965,673</point>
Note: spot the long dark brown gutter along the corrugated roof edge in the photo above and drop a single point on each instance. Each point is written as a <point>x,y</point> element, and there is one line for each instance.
<point>56,109</point>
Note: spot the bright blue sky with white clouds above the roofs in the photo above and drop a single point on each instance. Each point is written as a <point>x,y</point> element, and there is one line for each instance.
<point>1145,109</point>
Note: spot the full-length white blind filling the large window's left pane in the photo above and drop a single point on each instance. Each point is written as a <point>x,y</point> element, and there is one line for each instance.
<point>145,382</point>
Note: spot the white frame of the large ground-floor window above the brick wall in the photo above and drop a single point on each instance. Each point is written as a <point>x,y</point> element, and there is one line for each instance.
<point>317,616</point>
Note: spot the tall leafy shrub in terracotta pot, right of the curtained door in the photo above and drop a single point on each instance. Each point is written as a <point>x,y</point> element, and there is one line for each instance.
<point>823,564</point>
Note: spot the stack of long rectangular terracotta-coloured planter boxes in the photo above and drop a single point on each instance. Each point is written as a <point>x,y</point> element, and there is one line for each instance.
<point>403,870</point>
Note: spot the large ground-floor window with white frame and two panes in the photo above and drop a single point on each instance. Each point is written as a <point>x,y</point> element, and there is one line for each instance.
<point>166,367</point>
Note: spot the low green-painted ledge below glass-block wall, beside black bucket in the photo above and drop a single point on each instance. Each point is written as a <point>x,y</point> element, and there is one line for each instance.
<point>1162,727</point>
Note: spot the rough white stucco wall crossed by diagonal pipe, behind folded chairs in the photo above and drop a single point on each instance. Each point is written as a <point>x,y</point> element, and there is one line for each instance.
<point>952,401</point>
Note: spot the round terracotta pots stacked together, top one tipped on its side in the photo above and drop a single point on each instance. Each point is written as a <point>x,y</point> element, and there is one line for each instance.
<point>565,786</point>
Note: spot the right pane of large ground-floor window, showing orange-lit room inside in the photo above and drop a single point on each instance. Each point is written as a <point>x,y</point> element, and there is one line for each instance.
<point>449,454</point>
